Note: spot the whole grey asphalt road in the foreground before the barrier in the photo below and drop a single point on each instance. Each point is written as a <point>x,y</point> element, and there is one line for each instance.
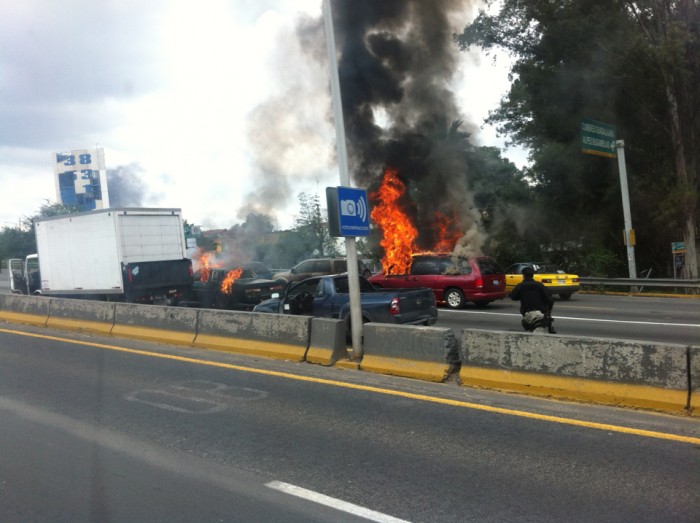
<point>100,429</point>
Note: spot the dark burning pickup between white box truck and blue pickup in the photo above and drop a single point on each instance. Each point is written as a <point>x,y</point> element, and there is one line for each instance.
<point>237,288</point>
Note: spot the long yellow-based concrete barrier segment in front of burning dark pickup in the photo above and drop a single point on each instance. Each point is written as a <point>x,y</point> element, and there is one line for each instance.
<point>270,335</point>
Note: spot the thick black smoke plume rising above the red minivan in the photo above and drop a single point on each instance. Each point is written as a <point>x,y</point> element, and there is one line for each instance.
<point>397,63</point>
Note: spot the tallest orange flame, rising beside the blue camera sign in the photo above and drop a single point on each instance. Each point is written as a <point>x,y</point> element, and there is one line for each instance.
<point>398,232</point>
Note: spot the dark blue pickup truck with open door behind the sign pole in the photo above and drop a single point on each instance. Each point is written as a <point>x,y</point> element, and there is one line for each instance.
<point>328,297</point>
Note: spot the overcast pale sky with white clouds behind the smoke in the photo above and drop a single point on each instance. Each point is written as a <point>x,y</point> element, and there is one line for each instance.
<point>181,96</point>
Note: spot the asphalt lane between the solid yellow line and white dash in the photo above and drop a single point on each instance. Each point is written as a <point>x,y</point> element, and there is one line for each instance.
<point>391,453</point>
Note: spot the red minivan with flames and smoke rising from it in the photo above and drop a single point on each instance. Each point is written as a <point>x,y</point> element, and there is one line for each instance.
<point>454,281</point>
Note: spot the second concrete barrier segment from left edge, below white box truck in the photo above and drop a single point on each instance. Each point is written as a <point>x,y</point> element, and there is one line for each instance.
<point>81,315</point>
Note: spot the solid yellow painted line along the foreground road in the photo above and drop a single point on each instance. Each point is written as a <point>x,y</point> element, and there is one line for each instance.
<point>388,392</point>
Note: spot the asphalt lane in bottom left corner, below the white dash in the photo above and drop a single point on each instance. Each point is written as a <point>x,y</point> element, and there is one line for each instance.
<point>56,468</point>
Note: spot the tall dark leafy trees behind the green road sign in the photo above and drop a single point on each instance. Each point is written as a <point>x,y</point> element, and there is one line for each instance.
<point>588,58</point>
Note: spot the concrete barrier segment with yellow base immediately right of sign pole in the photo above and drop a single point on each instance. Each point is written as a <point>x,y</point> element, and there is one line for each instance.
<point>427,353</point>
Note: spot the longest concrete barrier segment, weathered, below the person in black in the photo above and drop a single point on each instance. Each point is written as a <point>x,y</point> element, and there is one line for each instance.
<point>616,372</point>
